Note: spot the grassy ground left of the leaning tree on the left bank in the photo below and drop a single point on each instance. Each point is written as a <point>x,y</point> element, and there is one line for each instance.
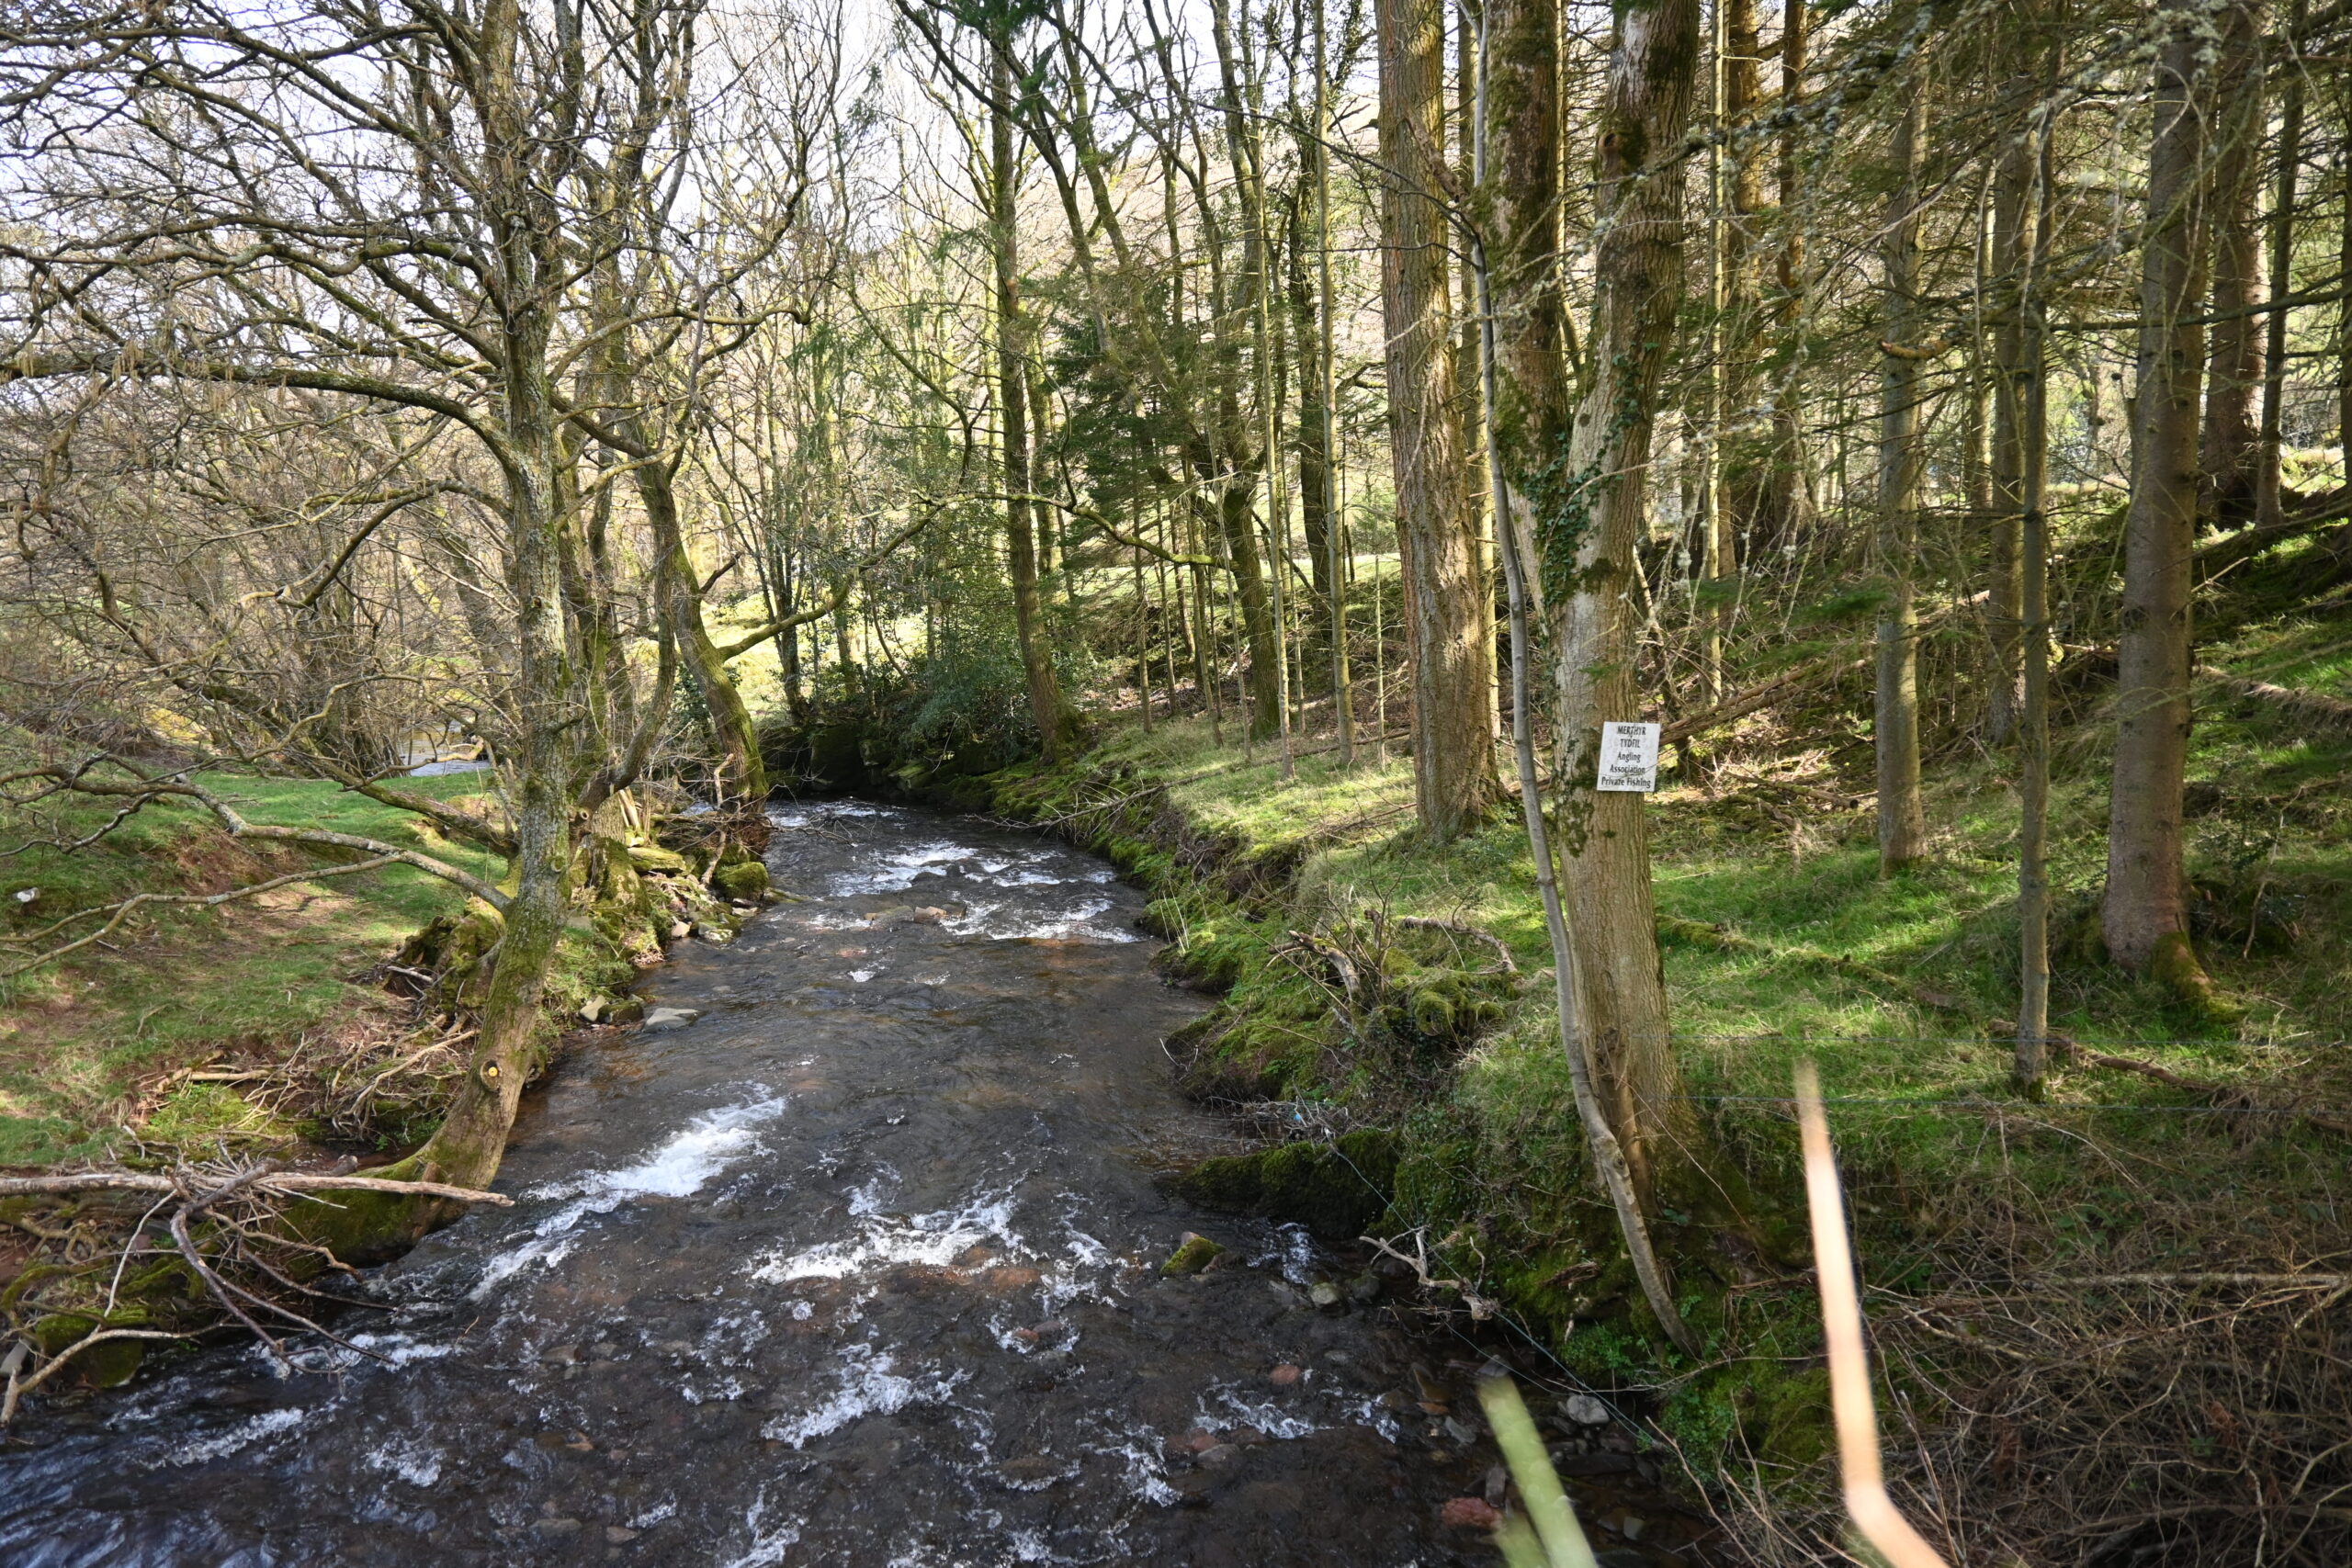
<point>161,1036</point>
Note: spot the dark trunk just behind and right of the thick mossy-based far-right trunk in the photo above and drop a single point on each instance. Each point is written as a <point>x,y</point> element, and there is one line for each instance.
<point>2229,443</point>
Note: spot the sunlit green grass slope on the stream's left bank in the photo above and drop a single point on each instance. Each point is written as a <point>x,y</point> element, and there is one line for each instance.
<point>79,1040</point>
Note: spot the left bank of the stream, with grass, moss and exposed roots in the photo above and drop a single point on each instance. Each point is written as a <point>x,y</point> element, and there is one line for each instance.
<point>248,1005</point>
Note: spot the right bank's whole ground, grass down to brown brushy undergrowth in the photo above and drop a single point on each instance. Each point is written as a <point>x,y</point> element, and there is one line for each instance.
<point>2106,1315</point>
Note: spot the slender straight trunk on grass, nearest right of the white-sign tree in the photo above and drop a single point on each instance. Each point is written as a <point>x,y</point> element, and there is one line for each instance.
<point>1902,810</point>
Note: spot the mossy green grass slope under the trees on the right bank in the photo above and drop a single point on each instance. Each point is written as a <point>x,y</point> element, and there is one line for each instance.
<point>2116,1172</point>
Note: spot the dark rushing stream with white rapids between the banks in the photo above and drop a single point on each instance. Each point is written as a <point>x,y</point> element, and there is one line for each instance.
<point>857,1268</point>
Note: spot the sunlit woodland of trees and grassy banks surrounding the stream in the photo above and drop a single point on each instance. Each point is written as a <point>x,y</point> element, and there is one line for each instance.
<point>1264,445</point>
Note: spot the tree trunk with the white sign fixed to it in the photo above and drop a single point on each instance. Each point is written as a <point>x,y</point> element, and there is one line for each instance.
<point>1589,528</point>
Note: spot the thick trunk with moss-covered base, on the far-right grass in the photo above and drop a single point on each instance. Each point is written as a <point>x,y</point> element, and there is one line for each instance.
<point>2144,913</point>
